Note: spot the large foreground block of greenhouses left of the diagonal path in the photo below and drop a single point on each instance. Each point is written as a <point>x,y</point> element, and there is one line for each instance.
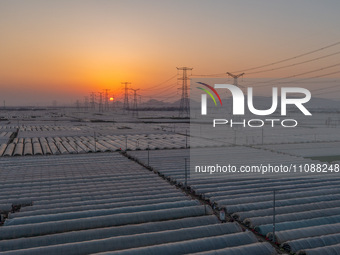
<point>106,203</point>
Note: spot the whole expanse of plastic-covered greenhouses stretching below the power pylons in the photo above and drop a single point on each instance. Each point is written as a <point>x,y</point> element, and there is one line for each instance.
<point>77,182</point>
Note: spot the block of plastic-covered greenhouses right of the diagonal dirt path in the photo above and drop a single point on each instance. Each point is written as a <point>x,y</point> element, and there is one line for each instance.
<point>307,209</point>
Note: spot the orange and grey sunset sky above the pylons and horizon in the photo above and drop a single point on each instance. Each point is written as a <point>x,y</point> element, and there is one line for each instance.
<point>63,50</point>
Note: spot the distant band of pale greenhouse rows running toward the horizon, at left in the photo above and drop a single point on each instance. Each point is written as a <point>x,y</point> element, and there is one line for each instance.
<point>87,144</point>
